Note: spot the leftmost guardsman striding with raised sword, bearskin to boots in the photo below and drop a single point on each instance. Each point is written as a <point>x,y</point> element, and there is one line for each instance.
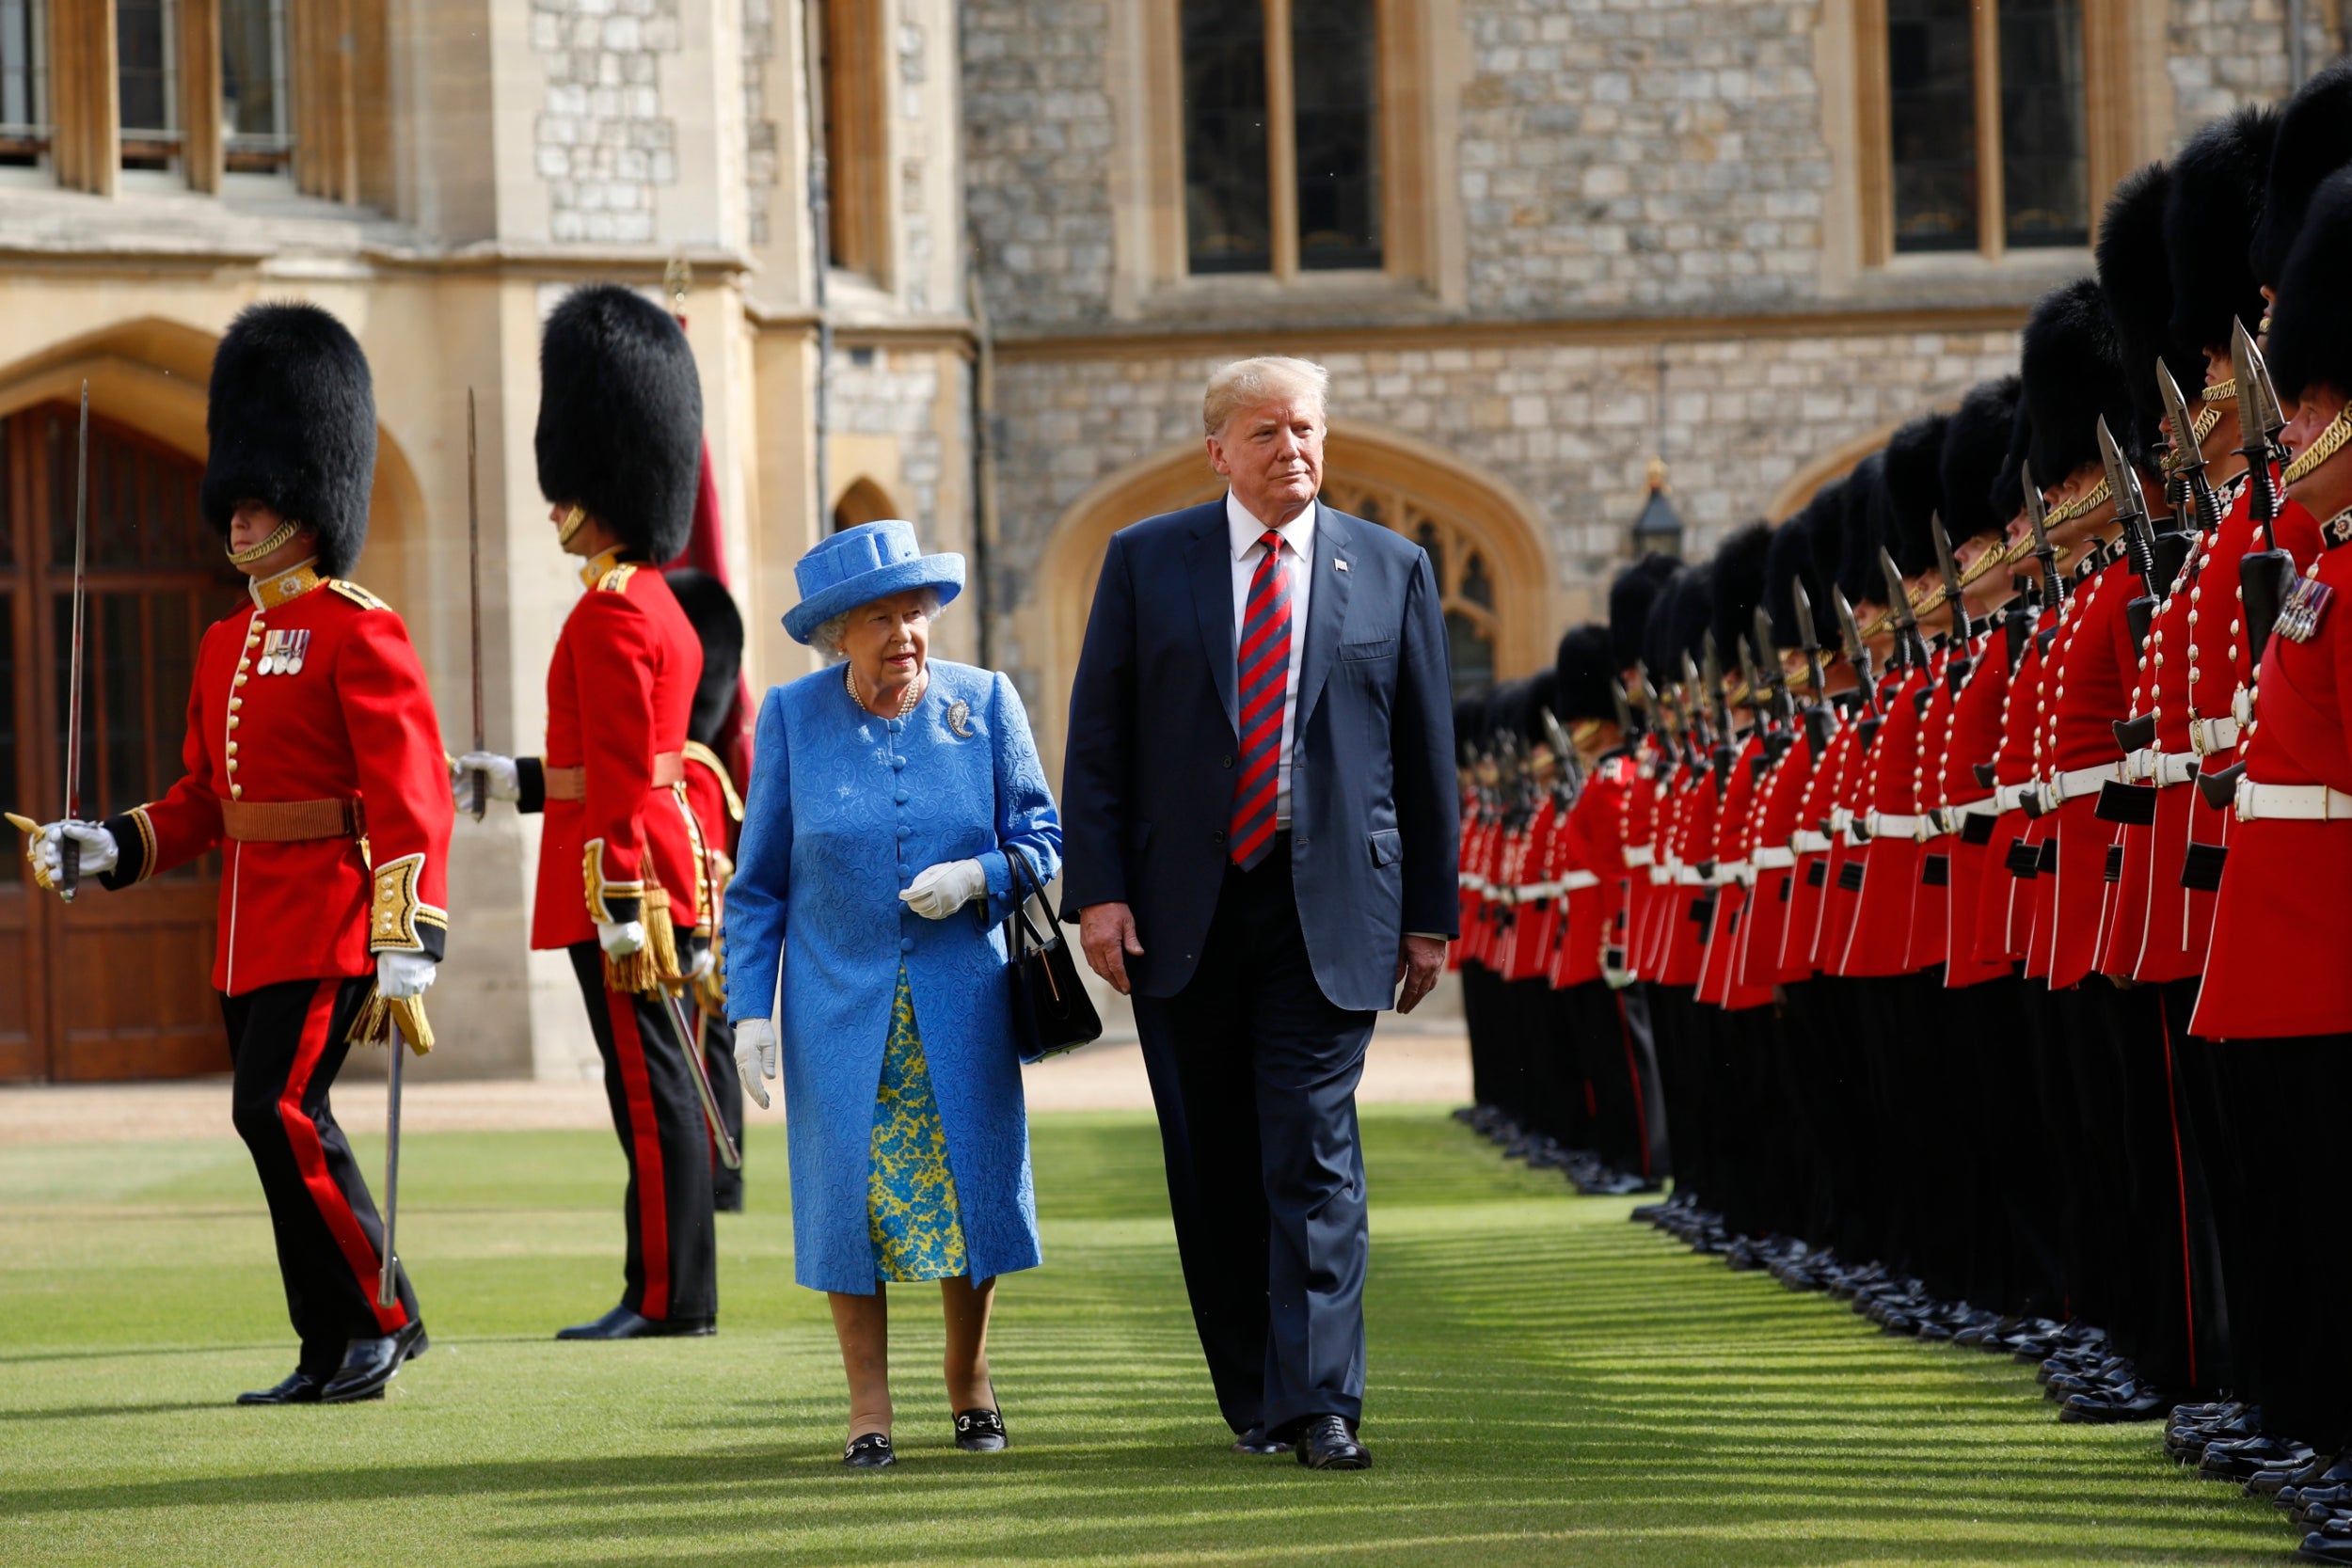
<point>316,770</point>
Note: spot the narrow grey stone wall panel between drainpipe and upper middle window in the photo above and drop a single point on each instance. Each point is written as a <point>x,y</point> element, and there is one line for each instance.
<point>1038,156</point>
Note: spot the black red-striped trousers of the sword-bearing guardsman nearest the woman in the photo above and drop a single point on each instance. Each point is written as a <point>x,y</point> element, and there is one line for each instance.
<point>671,1271</point>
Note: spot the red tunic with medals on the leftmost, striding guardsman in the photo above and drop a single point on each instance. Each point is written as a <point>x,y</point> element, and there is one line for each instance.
<point>314,695</point>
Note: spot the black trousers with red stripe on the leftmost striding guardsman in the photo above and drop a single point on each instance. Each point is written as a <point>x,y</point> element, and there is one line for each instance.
<point>286,1045</point>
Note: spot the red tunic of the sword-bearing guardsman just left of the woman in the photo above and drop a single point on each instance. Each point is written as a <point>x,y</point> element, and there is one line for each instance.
<point>620,697</point>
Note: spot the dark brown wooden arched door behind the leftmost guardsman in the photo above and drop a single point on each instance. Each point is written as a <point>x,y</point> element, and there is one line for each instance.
<point>119,986</point>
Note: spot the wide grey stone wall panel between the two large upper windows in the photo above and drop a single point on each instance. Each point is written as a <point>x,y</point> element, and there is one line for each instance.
<point>1657,156</point>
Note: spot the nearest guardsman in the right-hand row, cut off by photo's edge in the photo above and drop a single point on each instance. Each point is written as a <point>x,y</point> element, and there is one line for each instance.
<point>2276,981</point>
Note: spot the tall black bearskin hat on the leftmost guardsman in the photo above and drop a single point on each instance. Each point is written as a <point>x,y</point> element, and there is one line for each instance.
<point>293,424</point>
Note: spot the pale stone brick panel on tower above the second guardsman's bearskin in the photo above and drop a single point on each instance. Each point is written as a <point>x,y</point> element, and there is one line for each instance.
<point>603,145</point>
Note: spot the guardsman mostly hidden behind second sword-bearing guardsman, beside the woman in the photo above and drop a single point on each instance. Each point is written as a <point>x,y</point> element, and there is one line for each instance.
<point>719,812</point>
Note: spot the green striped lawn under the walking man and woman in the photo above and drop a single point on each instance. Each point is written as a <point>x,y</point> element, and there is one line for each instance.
<point>1549,1386</point>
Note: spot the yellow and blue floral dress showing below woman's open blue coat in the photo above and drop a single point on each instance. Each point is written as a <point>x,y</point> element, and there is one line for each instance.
<point>911,1212</point>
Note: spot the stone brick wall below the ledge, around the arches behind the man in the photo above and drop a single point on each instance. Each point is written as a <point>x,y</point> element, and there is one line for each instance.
<point>1565,424</point>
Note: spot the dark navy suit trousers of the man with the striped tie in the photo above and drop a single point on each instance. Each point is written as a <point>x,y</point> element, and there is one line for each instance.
<point>1255,1078</point>
